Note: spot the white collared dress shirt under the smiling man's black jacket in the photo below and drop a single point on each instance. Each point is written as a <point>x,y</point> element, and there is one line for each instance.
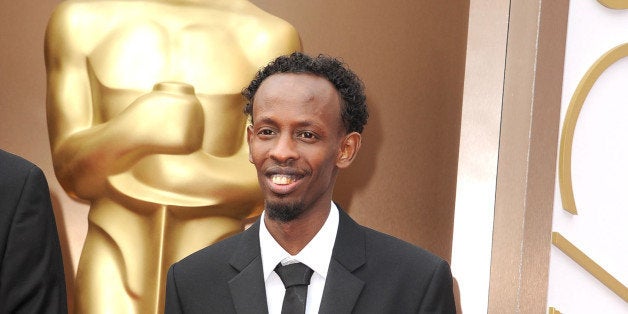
<point>316,255</point>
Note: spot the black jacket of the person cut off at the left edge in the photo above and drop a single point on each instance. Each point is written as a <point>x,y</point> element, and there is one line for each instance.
<point>31,269</point>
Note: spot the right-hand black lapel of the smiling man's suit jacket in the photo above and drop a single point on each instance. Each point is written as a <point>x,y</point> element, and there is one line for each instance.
<point>342,288</point>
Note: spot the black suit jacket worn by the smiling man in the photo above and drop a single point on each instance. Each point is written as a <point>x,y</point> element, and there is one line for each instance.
<point>370,272</point>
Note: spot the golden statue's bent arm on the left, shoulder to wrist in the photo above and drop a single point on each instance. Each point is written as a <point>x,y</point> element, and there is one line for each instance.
<point>86,151</point>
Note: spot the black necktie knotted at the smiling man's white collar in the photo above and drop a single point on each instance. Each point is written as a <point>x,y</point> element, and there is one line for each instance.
<point>296,278</point>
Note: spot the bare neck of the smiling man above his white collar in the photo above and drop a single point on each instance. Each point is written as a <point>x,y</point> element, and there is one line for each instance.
<point>294,235</point>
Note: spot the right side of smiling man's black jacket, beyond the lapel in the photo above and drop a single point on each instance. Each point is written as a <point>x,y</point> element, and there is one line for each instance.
<point>415,280</point>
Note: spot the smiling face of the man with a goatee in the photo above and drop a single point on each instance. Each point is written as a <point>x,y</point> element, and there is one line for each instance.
<point>296,143</point>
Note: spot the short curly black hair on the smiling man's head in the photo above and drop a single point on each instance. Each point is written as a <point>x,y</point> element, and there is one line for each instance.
<point>353,112</point>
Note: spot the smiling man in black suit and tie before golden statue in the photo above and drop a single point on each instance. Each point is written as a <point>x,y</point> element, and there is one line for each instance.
<point>307,115</point>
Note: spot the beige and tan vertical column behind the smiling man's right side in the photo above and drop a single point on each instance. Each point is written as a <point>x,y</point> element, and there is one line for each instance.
<point>507,154</point>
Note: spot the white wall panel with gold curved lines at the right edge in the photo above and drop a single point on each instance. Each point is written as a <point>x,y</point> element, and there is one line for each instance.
<point>596,55</point>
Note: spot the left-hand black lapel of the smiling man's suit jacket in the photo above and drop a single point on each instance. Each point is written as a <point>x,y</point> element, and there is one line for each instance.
<point>247,288</point>
